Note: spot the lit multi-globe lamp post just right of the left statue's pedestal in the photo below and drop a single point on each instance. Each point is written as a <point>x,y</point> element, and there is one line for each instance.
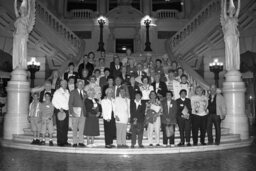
<point>33,67</point>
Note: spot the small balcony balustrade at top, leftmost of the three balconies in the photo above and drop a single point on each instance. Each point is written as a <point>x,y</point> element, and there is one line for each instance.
<point>82,14</point>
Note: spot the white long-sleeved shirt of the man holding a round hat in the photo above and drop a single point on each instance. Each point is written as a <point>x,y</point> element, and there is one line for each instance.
<point>60,99</point>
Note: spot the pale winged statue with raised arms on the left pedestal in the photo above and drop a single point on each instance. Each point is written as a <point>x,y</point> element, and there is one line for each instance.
<point>23,26</point>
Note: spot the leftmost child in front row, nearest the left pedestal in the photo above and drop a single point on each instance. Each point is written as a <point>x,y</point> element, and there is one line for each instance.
<point>34,119</point>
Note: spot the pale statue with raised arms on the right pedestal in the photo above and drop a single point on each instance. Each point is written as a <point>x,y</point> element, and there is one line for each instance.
<point>229,23</point>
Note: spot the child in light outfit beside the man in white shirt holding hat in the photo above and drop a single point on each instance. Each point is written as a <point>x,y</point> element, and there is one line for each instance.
<point>46,113</point>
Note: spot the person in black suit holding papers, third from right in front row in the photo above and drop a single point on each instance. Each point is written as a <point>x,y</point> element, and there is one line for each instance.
<point>183,118</point>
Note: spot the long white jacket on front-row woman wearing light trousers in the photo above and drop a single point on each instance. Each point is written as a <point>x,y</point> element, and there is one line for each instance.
<point>122,109</point>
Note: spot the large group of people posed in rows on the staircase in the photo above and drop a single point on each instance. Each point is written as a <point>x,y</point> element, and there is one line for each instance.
<point>154,96</point>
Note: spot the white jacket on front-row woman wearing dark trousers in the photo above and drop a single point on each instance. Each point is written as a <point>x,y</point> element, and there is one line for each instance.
<point>107,108</point>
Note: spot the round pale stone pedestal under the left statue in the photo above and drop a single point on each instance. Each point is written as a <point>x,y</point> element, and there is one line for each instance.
<point>17,105</point>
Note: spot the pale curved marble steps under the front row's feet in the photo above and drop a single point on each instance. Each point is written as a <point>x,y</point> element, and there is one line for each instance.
<point>22,141</point>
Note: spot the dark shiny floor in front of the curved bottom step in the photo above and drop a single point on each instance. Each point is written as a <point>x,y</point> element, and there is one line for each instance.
<point>228,160</point>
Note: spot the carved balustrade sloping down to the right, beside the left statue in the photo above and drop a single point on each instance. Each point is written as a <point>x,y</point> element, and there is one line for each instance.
<point>57,25</point>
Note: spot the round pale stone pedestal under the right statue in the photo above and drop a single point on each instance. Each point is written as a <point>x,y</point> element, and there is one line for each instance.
<point>236,119</point>
